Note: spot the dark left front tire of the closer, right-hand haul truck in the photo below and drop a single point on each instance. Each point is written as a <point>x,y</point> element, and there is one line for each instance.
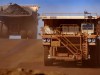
<point>47,62</point>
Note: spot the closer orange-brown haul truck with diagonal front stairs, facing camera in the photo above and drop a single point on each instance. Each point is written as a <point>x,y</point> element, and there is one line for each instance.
<point>70,38</point>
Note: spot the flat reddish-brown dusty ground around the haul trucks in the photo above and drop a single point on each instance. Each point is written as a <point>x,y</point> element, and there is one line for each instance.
<point>28,54</point>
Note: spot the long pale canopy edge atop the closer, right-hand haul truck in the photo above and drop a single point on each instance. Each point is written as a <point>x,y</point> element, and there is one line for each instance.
<point>68,16</point>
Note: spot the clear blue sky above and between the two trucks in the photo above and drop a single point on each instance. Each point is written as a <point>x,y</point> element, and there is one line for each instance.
<point>59,6</point>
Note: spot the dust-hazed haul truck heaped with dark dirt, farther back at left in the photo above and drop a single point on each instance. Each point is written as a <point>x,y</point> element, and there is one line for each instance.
<point>18,21</point>
